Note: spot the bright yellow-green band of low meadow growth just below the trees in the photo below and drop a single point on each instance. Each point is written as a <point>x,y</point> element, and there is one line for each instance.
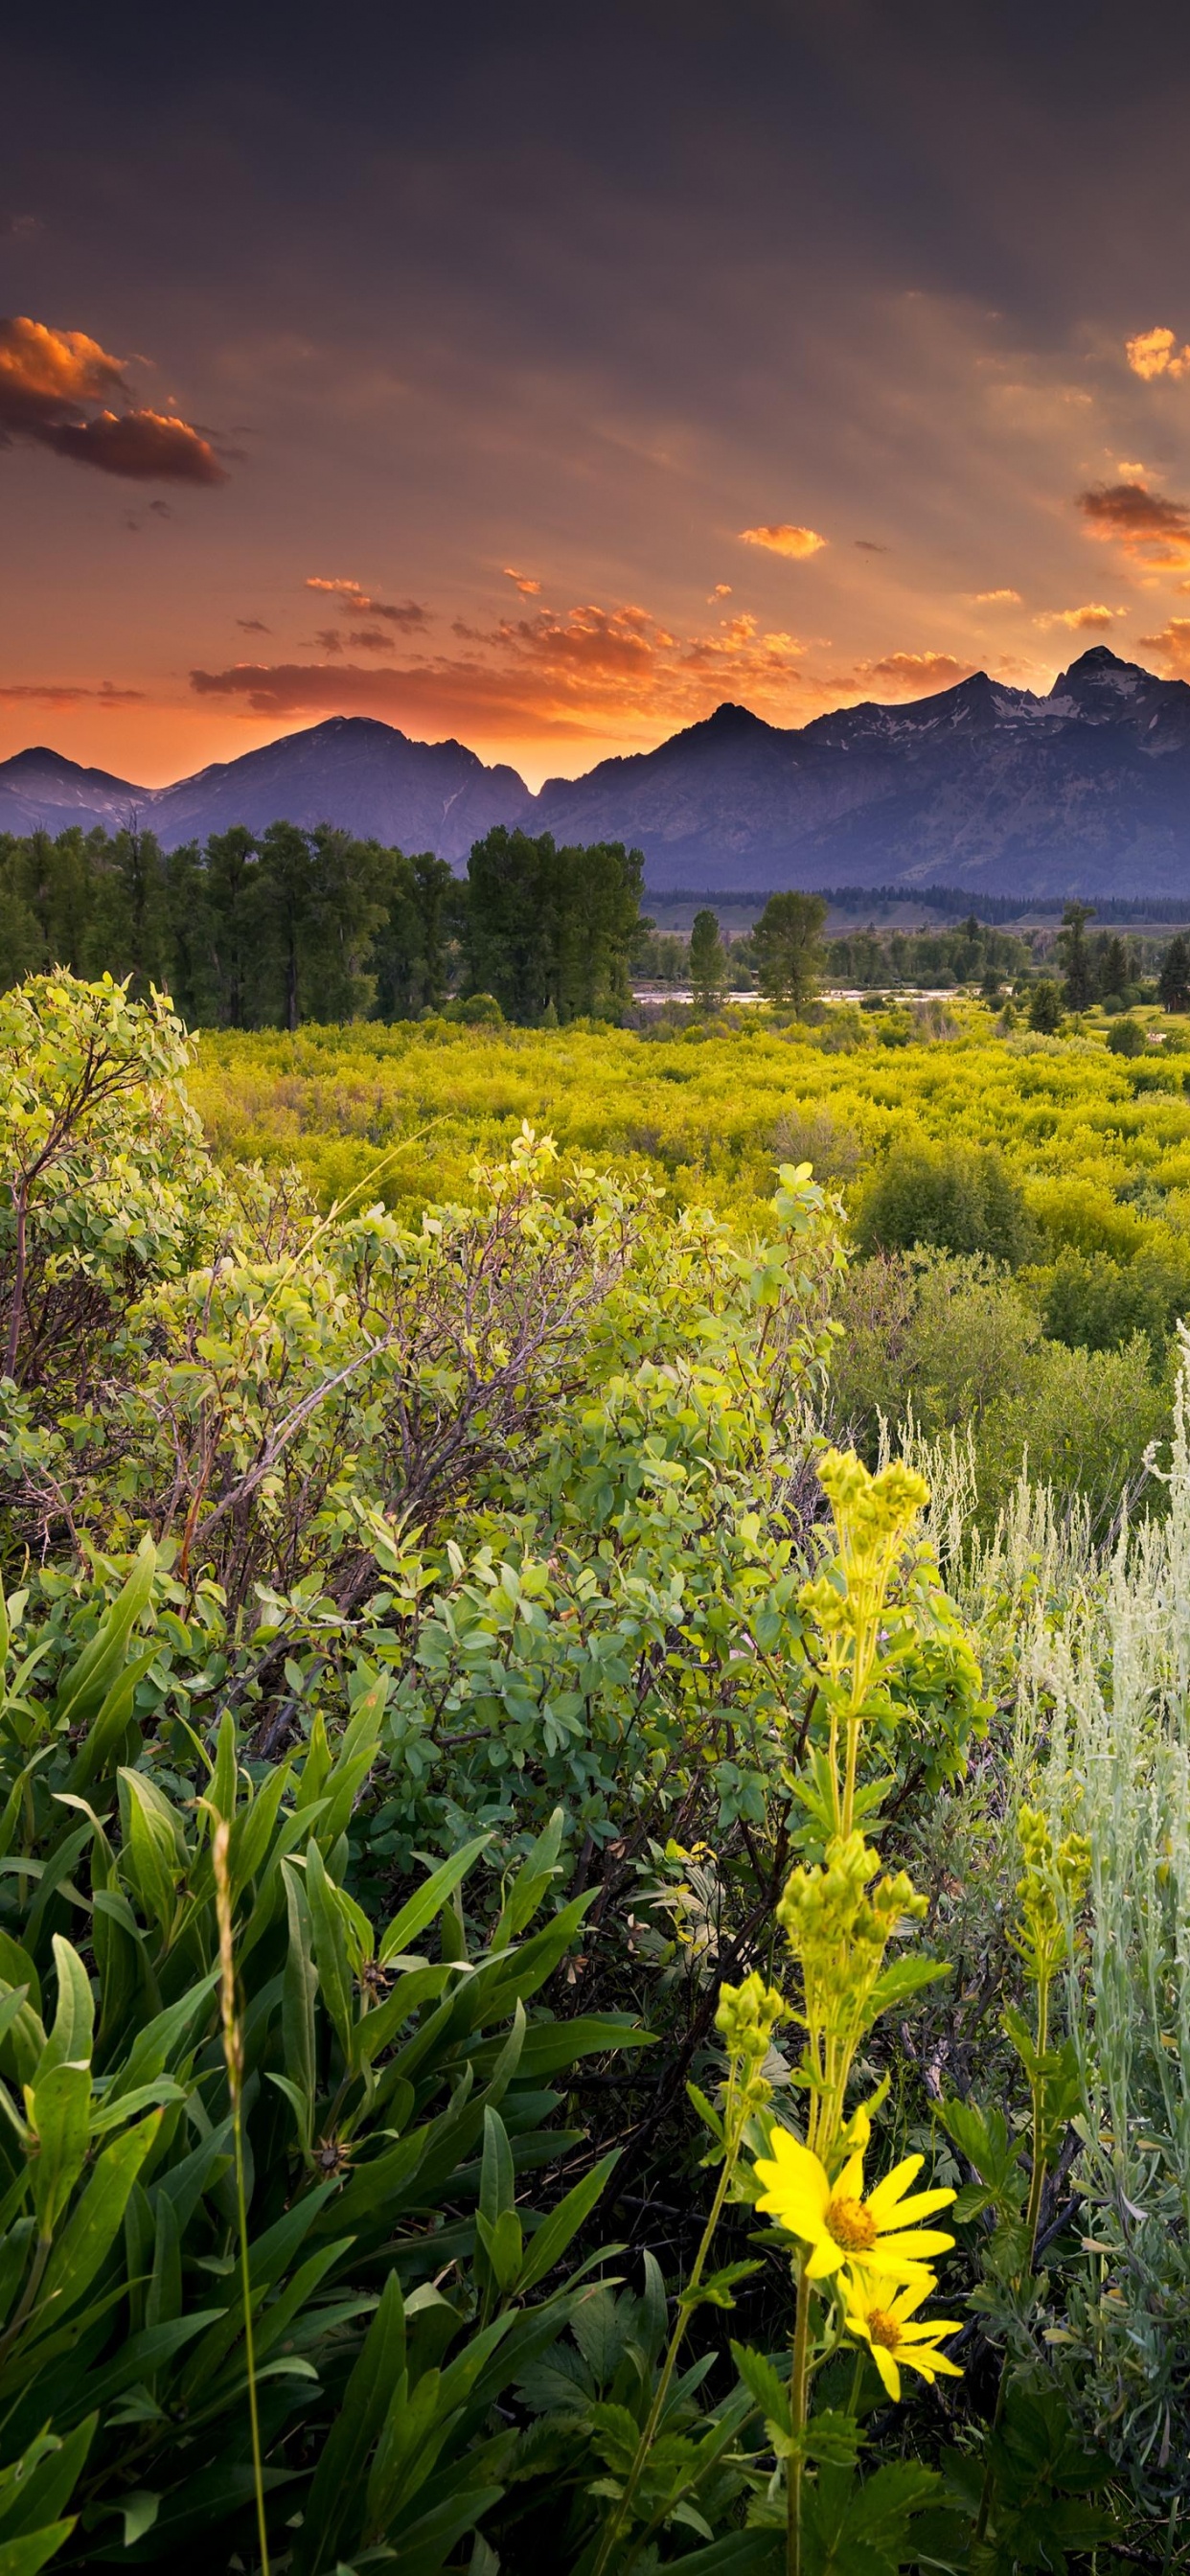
<point>710,1109</point>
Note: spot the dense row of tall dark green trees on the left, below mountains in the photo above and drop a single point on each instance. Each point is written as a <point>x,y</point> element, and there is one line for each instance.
<point>267,931</point>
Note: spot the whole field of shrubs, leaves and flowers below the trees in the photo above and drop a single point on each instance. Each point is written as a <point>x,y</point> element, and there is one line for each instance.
<point>594,1794</point>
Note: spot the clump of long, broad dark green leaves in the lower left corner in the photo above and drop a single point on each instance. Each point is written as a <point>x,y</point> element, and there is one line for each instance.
<point>393,2098</point>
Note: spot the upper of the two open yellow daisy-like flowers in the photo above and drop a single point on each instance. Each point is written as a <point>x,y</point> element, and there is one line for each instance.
<point>841,2224</point>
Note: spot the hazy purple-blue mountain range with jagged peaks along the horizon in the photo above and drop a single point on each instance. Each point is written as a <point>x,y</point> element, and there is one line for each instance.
<point>988,787</point>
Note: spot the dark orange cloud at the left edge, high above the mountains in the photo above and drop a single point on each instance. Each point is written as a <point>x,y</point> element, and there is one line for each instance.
<point>50,377</point>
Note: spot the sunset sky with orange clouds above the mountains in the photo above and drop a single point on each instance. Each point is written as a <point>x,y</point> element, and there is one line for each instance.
<point>542,377</point>
